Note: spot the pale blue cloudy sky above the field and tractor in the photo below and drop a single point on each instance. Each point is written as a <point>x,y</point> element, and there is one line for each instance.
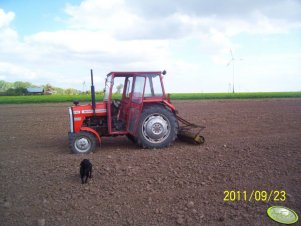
<point>59,41</point>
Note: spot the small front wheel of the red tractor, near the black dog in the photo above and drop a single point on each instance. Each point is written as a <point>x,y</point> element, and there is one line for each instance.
<point>82,143</point>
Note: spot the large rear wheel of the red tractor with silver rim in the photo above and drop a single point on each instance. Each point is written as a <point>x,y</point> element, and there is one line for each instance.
<point>157,127</point>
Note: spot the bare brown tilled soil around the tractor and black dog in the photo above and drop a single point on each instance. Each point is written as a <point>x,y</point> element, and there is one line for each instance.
<point>250,145</point>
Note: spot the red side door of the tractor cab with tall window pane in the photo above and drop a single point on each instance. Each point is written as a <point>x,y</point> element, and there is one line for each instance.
<point>136,104</point>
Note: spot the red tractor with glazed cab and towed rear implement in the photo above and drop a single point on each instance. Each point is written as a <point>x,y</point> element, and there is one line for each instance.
<point>140,110</point>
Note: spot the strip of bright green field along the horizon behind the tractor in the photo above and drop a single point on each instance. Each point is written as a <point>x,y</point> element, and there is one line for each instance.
<point>174,96</point>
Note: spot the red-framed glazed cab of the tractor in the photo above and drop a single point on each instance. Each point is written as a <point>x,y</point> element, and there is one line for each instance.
<point>125,94</point>
